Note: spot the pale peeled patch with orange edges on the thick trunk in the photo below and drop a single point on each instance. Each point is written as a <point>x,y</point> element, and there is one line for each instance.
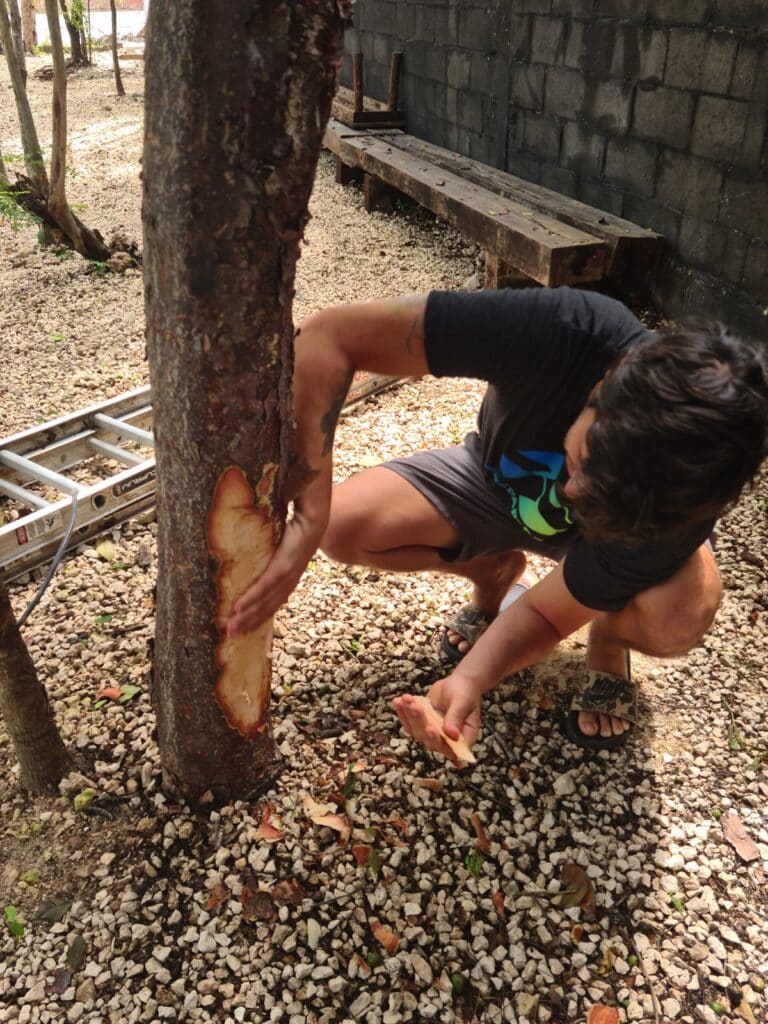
<point>242,537</point>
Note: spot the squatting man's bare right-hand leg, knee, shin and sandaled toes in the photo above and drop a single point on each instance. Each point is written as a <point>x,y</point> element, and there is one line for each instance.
<point>666,621</point>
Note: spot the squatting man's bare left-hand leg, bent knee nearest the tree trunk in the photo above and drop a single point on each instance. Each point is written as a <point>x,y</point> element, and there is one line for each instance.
<point>379,520</point>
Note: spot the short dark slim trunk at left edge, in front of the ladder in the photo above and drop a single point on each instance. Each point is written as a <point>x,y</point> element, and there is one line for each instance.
<point>25,709</point>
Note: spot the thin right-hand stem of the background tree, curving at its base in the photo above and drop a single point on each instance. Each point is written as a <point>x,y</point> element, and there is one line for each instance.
<point>86,242</point>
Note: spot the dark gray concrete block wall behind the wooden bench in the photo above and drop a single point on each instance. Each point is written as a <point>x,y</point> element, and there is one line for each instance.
<point>654,110</point>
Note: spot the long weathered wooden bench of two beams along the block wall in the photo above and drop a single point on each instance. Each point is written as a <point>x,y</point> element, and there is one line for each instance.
<point>530,234</point>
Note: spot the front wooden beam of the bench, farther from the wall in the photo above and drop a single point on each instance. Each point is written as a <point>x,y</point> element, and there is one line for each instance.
<point>546,250</point>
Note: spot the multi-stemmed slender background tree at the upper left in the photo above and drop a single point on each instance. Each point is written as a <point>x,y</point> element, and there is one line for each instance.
<point>48,202</point>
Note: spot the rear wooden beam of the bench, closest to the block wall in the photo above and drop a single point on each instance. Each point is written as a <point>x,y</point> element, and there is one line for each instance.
<point>632,249</point>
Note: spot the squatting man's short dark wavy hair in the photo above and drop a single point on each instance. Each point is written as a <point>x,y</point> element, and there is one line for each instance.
<point>681,426</point>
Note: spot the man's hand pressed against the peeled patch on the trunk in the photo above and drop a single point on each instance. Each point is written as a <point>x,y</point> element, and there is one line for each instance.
<point>278,582</point>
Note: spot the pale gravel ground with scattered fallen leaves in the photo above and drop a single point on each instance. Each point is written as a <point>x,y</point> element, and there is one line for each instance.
<point>457,895</point>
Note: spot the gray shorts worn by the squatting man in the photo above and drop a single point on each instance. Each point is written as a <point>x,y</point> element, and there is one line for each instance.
<point>454,482</point>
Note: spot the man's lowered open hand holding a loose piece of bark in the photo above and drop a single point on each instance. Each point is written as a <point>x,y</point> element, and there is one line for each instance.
<point>460,708</point>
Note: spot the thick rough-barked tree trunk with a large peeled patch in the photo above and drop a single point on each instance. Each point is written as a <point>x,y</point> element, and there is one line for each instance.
<point>236,111</point>
